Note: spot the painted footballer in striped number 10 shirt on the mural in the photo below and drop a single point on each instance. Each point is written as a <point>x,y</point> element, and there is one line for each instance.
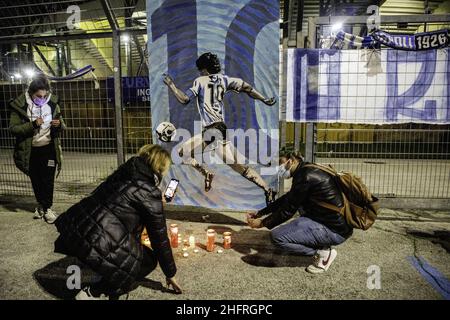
<point>209,90</point>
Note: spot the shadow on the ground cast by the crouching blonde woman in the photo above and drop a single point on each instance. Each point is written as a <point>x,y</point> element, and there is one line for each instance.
<point>54,278</point>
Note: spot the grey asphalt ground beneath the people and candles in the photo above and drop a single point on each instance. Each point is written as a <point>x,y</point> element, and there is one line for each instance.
<point>405,255</point>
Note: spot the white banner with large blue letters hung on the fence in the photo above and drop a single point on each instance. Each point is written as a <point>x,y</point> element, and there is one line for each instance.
<point>337,86</point>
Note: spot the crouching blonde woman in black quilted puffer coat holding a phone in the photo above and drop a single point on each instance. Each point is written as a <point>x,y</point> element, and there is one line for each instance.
<point>104,229</point>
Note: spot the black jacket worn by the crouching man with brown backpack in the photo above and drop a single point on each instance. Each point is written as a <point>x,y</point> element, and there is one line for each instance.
<point>307,183</point>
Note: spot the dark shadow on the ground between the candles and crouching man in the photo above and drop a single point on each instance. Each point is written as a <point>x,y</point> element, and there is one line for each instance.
<point>258,251</point>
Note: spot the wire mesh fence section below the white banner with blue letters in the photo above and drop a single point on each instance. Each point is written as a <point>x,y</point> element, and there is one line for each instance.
<point>407,161</point>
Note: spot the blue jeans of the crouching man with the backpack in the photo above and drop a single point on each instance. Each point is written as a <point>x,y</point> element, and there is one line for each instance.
<point>304,236</point>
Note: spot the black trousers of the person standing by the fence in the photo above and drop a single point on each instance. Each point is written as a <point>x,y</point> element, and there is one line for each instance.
<point>42,174</point>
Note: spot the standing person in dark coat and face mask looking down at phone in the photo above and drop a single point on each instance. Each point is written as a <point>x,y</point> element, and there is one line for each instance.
<point>36,123</point>
